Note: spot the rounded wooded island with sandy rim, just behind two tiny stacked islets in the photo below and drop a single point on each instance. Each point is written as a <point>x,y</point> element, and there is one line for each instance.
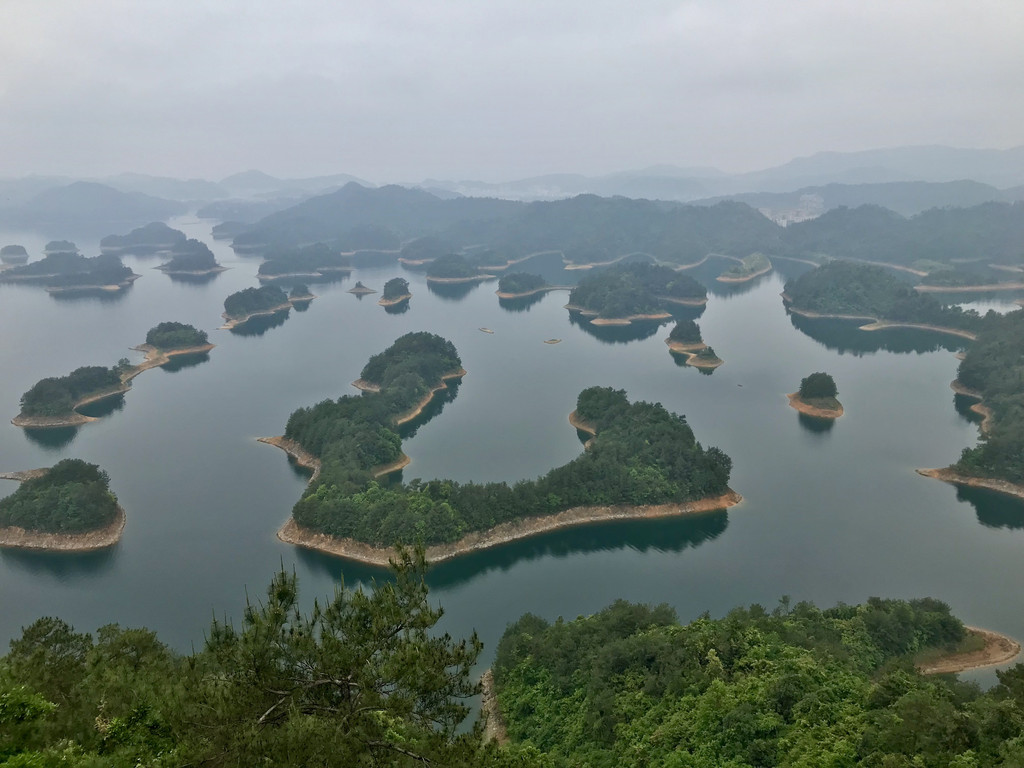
<point>636,291</point>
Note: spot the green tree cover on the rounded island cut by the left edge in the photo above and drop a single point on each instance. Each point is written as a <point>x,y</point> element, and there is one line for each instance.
<point>72,497</point>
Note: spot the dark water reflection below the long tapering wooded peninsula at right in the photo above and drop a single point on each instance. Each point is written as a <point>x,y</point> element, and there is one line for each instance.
<point>845,336</point>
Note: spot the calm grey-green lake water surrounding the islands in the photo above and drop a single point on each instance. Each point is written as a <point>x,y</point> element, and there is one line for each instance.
<point>830,515</point>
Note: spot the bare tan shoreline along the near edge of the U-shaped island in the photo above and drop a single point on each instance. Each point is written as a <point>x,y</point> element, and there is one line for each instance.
<point>292,533</point>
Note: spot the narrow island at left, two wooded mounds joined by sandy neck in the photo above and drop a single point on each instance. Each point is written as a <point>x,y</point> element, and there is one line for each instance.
<point>54,402</point>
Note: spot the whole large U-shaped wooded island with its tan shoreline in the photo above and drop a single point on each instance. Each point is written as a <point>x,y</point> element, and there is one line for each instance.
<point>644,462</point>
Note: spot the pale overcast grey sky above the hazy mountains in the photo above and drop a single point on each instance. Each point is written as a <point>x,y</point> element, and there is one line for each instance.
<point>404,91</point>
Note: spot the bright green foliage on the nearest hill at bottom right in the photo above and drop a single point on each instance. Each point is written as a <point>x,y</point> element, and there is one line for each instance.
<point>796,688</point>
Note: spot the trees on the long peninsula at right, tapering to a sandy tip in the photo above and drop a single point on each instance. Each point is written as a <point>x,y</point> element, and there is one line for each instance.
<point>864,290</point>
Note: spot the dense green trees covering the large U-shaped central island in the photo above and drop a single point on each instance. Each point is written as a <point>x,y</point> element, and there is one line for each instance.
<point>643,455</point>
